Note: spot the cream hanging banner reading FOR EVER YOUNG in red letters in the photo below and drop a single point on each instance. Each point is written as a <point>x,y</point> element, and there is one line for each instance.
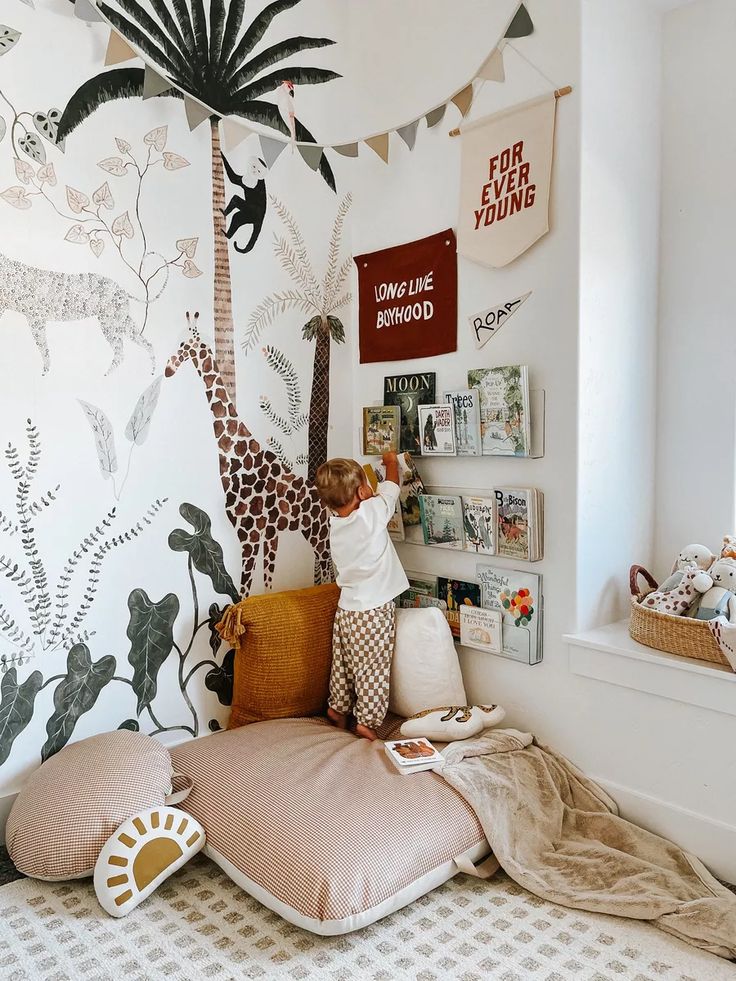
<point>505,179</point>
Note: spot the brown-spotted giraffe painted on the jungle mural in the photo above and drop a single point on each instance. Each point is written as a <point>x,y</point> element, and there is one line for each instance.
<point>262,498</point>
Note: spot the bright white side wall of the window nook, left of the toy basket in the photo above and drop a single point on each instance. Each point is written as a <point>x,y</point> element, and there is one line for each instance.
<point>619,239</point>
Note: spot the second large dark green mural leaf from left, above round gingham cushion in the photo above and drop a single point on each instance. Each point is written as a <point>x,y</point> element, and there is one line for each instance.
<point>75,694</point>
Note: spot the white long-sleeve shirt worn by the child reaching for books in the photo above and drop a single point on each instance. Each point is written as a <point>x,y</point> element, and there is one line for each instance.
<point>368,569</point>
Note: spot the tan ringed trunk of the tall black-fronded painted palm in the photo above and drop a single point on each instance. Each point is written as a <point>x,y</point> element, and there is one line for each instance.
<point>223,300</point>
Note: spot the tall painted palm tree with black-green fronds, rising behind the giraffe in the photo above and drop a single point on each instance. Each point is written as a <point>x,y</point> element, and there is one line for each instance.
<point>211,58</point>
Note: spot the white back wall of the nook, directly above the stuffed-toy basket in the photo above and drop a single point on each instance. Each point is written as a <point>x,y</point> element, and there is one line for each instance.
<point>696,456</point>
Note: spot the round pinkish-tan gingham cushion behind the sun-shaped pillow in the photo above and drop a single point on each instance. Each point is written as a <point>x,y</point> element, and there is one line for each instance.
<point>71,804</point>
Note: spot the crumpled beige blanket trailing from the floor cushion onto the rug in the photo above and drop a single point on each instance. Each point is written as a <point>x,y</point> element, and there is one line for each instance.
<point>560,836</point>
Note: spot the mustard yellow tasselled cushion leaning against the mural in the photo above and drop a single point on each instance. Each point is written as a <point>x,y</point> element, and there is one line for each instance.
<point>283,653</point>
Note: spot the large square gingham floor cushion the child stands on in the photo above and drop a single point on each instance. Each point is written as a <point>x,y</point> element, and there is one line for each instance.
<point>318,824</point>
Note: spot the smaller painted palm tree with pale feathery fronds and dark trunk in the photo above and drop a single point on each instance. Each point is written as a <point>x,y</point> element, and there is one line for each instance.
<point>321,300</point>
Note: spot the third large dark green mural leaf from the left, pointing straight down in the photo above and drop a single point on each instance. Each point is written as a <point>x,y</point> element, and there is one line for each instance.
<point>151,635</point>
